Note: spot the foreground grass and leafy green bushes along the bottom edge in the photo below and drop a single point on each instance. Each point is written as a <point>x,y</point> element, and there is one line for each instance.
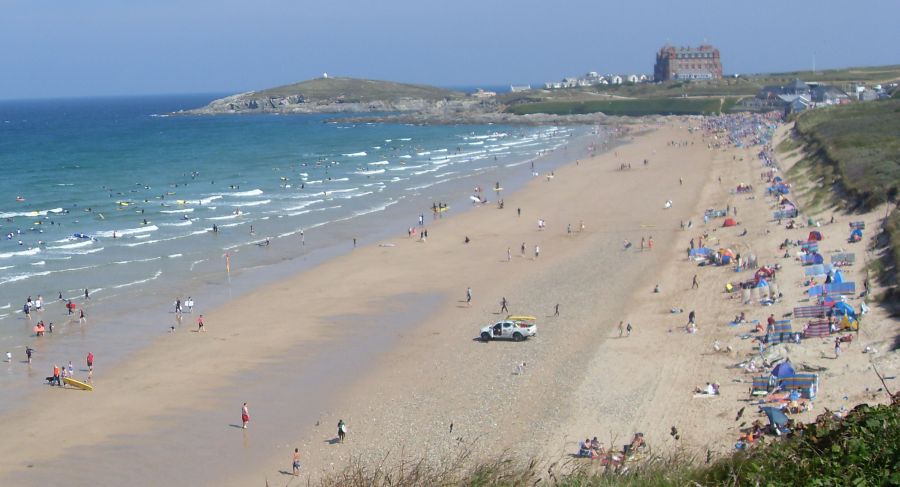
<point>862,449</point>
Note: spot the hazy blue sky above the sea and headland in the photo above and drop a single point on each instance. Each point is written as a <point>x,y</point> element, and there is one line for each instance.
<point>56,48</point>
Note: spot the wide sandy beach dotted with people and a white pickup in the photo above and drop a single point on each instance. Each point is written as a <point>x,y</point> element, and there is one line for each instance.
<point>383,338</point>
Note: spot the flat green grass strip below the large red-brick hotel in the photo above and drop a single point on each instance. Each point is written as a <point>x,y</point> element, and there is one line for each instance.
<point>633,107</point>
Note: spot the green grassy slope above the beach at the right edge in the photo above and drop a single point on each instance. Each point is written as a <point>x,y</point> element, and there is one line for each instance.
<point>862,142</point>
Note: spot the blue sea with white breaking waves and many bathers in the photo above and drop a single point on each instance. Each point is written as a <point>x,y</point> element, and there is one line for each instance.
<point>117,196</point>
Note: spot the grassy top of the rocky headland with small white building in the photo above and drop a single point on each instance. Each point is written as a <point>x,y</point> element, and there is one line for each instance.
<point>357,90</point>
